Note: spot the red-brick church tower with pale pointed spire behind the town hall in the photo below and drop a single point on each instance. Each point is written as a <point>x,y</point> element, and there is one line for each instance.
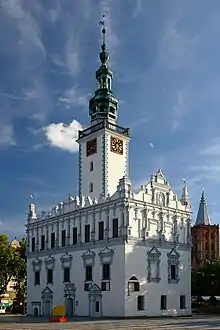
<point>205,237</point>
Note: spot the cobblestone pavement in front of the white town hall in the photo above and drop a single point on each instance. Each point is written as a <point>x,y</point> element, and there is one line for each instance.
<point>194,323</point>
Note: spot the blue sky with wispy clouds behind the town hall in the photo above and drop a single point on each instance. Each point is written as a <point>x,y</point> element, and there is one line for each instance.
<point>165,57</point>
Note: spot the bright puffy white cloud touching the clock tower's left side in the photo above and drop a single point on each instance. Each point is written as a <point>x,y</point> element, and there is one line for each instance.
<point>63,136</point>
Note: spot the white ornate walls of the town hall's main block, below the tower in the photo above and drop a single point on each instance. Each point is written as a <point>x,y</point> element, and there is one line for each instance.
<point>153,235</point>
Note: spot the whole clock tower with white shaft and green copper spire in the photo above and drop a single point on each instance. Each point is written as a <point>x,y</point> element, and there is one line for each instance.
<point>104,146</point>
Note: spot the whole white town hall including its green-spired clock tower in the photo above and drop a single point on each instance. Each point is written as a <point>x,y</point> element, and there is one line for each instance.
<point>111,251</point>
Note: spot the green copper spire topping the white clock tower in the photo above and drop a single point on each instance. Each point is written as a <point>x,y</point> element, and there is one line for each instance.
<point>103,105</point>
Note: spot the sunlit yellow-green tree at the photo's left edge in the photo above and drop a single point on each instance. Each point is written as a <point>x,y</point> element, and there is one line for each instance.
<point>7,258</point>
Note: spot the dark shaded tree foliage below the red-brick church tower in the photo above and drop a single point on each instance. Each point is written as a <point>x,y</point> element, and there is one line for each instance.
<point>206,280</point>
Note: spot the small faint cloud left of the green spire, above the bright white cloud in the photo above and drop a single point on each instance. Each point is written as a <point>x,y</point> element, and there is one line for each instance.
<point>72,96</point>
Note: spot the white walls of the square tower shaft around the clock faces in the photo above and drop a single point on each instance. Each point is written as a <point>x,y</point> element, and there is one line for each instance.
<point>107,167</point>
